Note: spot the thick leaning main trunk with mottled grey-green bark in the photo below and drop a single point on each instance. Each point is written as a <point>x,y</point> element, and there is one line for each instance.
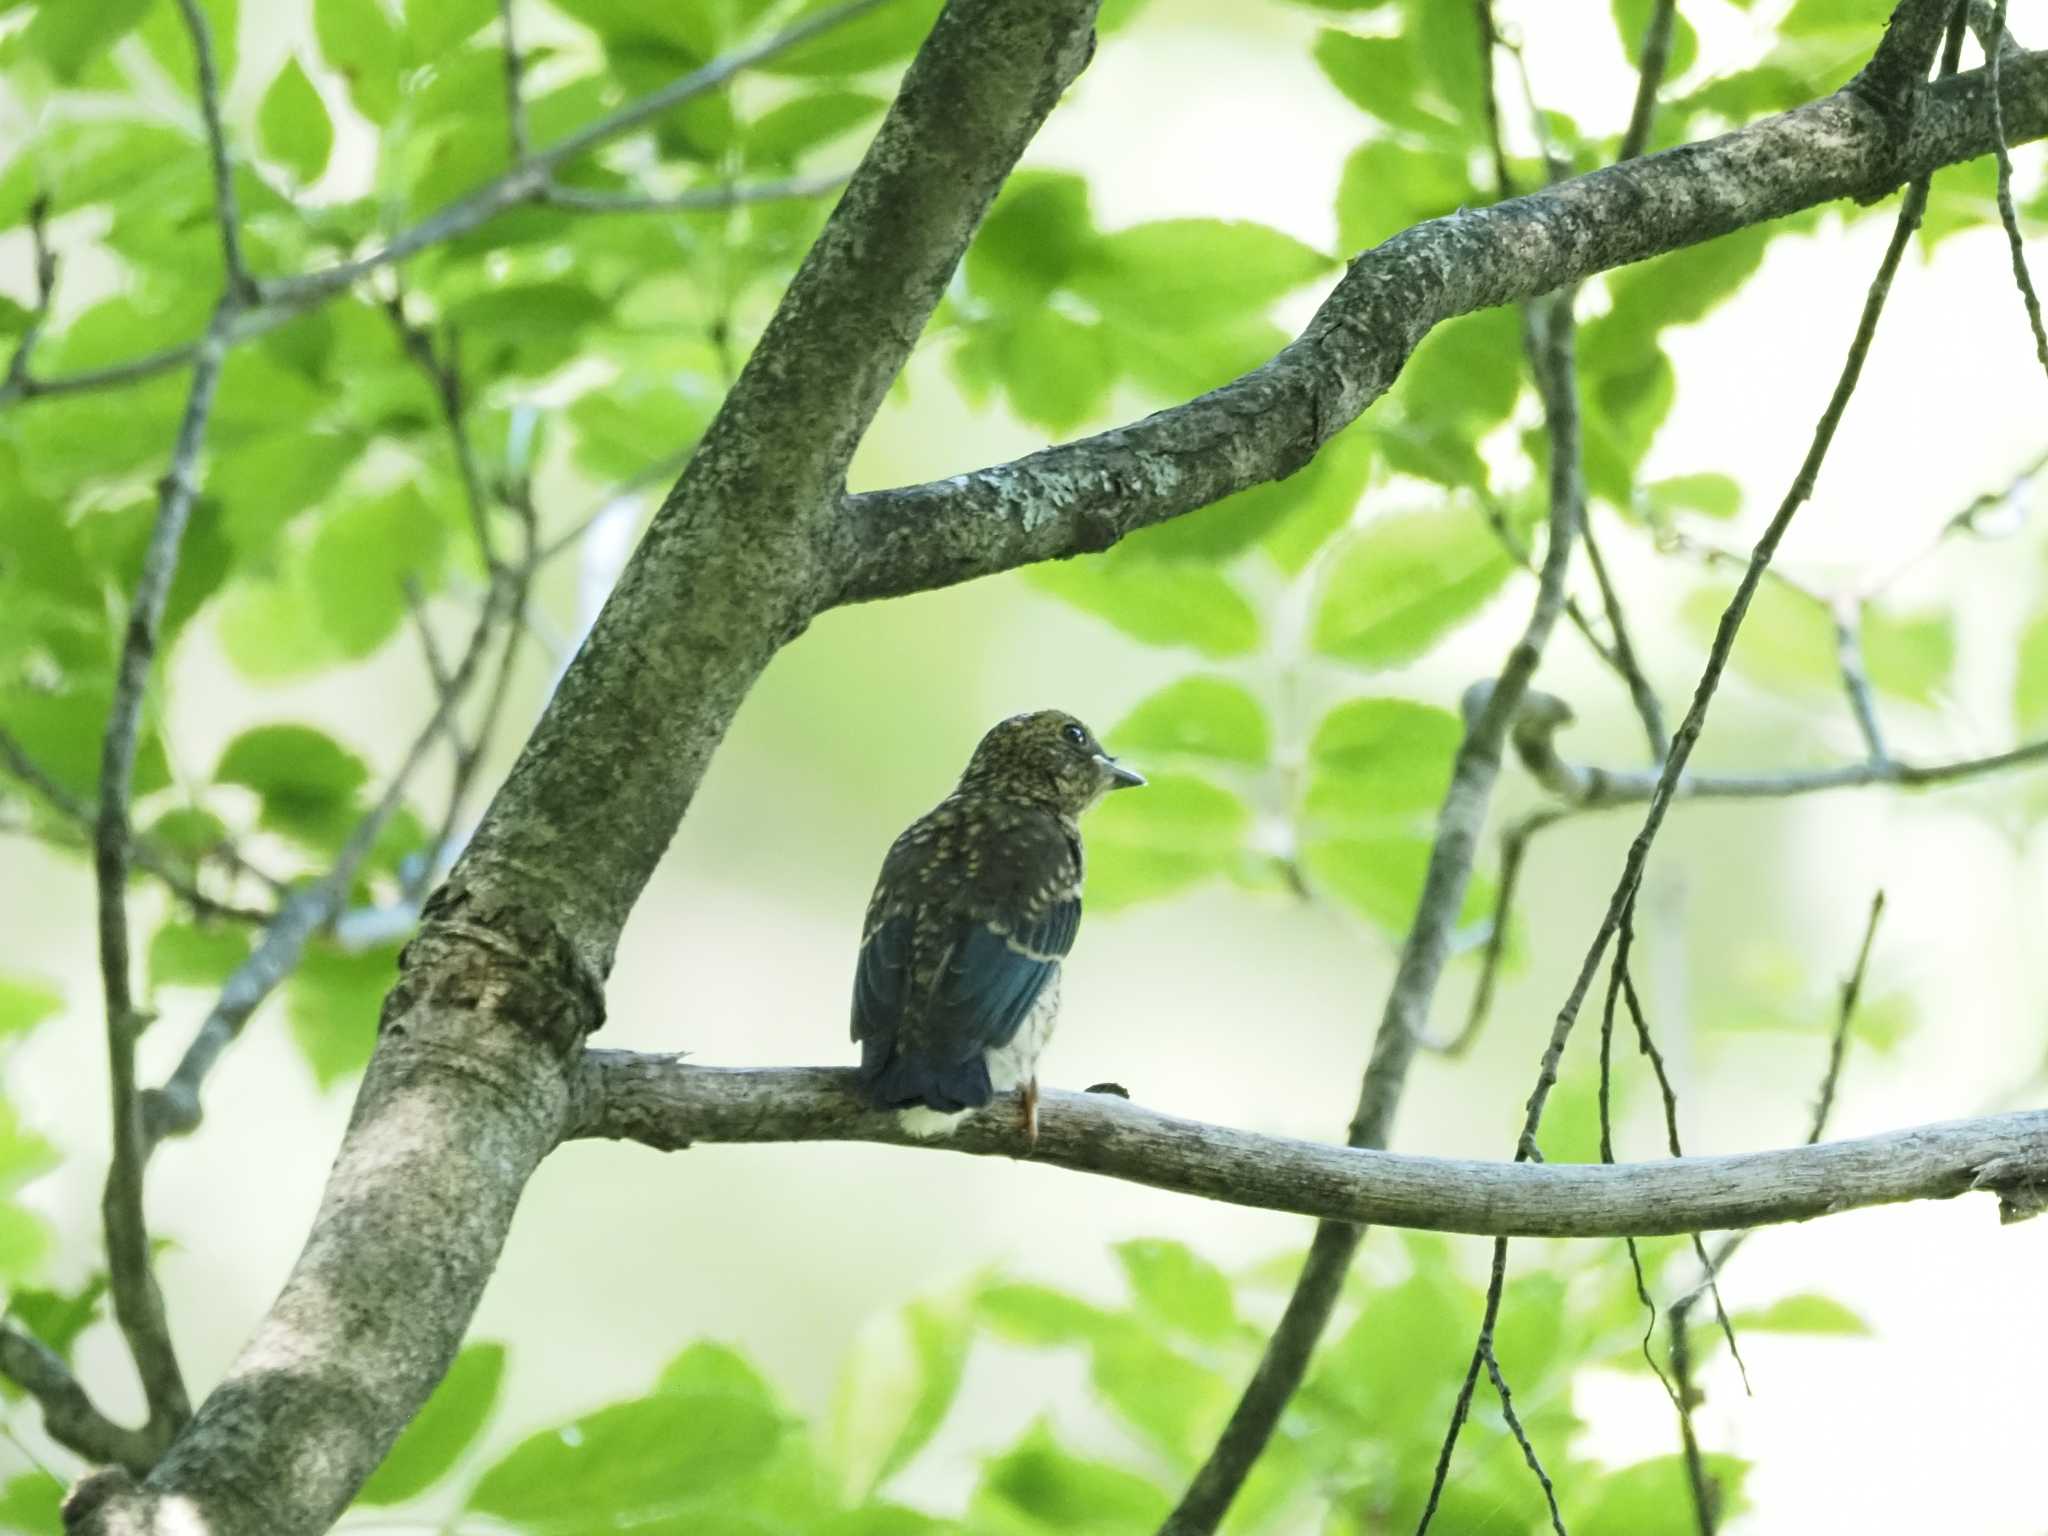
<point>482,1035</point>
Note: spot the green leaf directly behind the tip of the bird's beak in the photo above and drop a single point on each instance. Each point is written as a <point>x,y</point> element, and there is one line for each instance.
<point>1172,835</point>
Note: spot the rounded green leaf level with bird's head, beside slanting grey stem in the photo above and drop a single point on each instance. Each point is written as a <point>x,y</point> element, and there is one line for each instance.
<point>1379,761</point>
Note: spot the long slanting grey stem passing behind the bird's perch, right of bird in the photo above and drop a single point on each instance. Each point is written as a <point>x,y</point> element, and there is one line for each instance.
<point>1404,1023</point>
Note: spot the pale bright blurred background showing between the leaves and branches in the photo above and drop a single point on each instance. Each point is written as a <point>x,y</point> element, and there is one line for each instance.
<point>1228,998</point>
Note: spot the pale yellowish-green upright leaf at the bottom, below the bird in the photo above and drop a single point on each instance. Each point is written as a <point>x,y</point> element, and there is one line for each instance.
<point>894,1394</point>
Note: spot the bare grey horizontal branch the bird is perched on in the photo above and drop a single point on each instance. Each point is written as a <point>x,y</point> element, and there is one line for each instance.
<point>667,1103</point>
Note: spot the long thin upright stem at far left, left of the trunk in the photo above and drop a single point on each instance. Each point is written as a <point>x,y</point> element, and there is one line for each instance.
<point>132,1283</point>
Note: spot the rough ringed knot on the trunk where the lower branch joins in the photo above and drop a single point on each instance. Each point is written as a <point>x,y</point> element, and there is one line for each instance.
<point>505,959</point>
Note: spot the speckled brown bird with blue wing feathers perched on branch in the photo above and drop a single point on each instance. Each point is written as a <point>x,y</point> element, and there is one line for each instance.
<point>976,908</point>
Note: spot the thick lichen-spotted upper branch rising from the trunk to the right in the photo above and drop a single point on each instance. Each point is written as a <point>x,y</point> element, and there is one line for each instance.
<point>1089,495</point>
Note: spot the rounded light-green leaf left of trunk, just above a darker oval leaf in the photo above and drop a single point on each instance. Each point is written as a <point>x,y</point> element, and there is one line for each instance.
<point>361,560</point>
